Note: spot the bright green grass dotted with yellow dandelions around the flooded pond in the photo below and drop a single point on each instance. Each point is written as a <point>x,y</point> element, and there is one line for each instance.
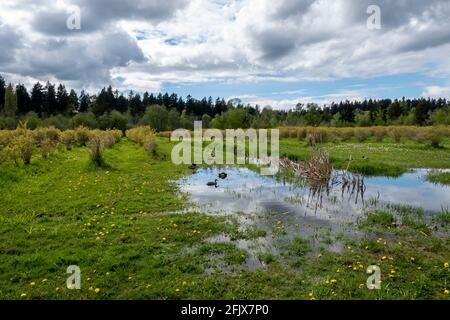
<point>120,225</point>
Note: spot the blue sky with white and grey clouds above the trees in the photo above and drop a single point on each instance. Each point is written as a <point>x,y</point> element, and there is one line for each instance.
<point>262,51</point>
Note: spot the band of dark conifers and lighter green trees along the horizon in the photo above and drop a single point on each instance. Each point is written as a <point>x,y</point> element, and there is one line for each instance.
<point>54,105</point>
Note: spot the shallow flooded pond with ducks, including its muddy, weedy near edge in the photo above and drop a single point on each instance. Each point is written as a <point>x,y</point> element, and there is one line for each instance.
<point>285,209</point>
